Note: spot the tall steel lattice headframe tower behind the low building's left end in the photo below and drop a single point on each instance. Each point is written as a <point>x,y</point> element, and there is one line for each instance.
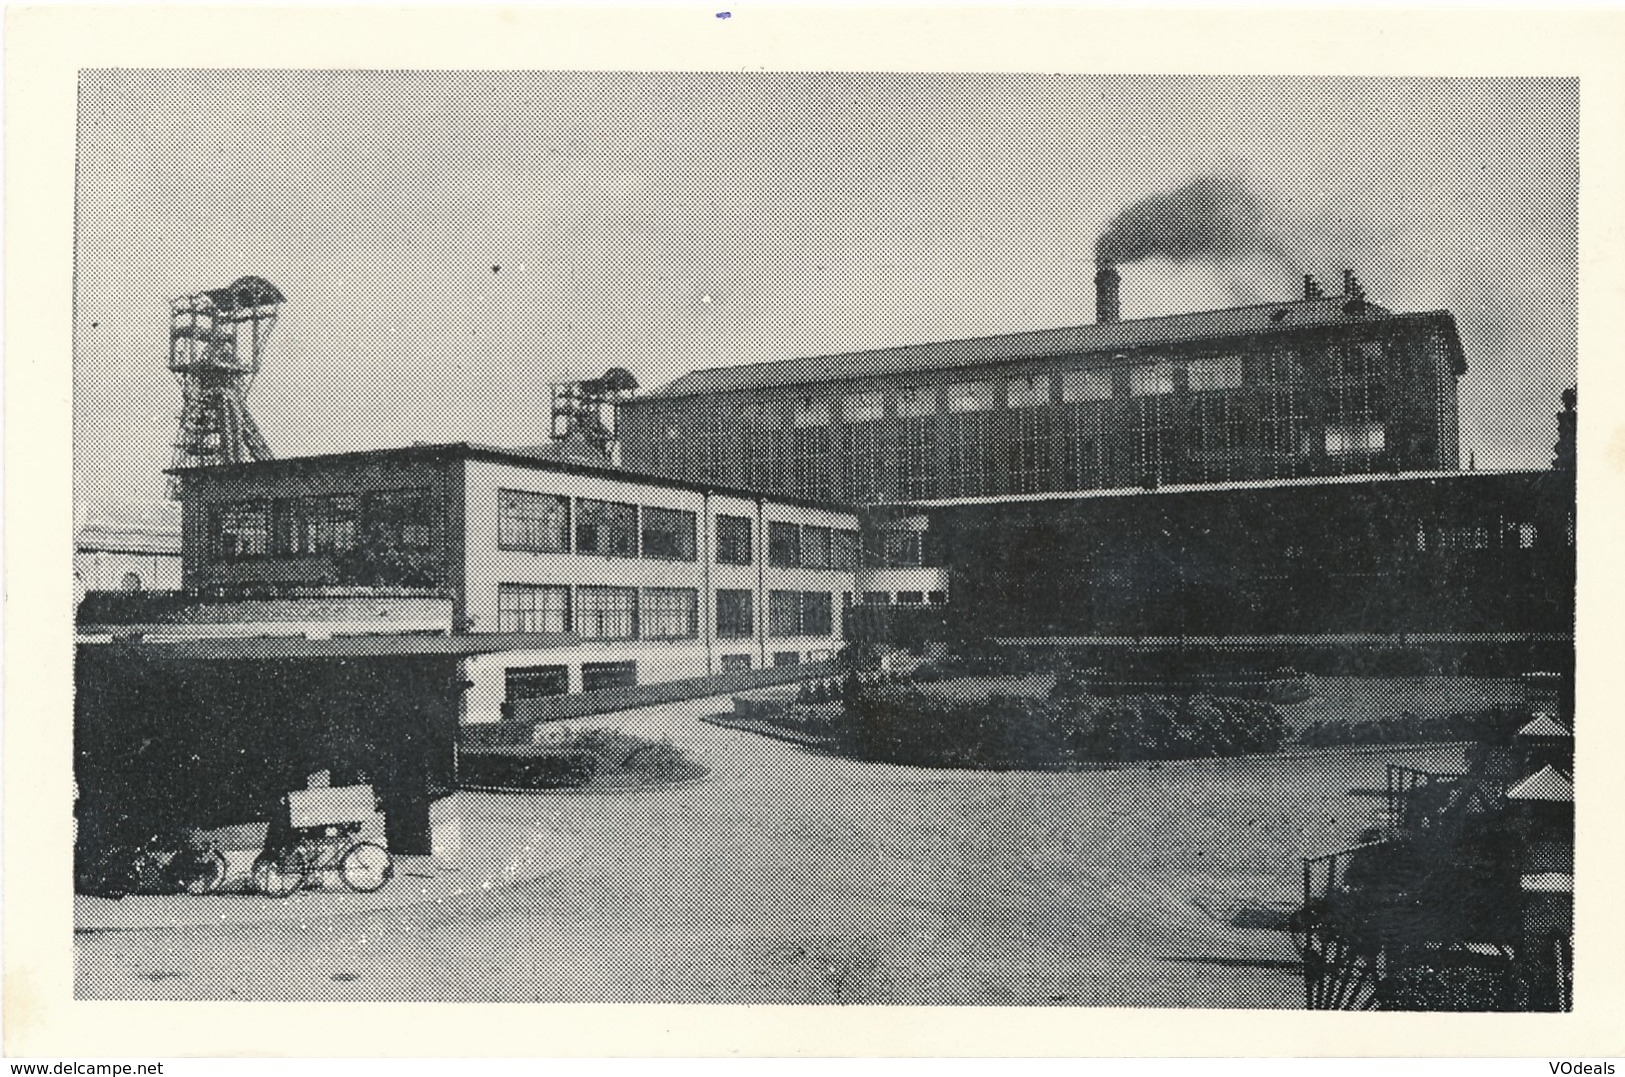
<point>217,340</point>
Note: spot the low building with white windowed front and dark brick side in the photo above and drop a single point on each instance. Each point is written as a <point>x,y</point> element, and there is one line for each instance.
<point>625,579</point>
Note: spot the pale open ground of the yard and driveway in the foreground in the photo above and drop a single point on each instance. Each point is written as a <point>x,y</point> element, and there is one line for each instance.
<point>787,876</point>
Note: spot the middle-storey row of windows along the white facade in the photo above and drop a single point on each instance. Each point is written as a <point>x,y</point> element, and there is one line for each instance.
<point>656,613</point>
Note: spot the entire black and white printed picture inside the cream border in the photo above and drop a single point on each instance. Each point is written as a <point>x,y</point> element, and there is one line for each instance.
<point>826,538</point>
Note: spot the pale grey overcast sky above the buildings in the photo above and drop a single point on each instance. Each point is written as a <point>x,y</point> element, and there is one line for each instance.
<point>449,244</point>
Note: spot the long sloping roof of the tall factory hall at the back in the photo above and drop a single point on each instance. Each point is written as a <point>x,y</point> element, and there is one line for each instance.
<point>1049,344</point>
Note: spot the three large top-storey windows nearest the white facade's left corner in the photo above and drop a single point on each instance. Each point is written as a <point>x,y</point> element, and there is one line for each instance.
<point>544,524</point>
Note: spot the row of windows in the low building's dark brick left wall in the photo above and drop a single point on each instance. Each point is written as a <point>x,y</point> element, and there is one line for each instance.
<point>334,524</point>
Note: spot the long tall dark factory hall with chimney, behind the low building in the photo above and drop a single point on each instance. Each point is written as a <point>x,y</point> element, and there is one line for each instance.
<point>1320,386</point>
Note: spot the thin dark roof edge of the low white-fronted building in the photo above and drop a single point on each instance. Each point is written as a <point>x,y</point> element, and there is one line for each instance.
<point>540,461</point>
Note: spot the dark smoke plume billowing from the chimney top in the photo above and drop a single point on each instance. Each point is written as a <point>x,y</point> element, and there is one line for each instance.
<point>1216,218</point>
